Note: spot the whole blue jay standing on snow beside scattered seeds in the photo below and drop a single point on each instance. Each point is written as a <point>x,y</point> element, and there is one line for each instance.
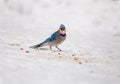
<point>54,40</point>
